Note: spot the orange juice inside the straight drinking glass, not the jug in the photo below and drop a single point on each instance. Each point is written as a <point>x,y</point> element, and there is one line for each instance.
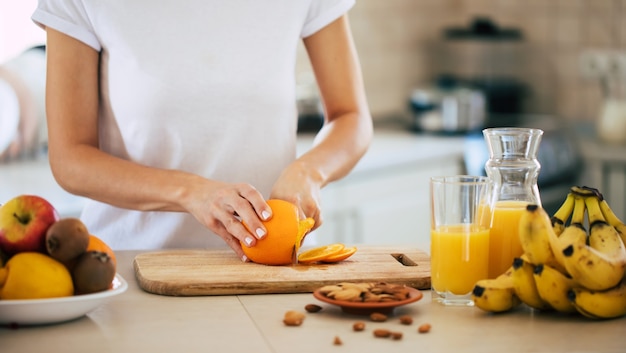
<point>459,257</point>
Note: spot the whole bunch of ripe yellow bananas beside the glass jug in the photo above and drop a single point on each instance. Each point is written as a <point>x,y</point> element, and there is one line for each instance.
<point>565,268</point>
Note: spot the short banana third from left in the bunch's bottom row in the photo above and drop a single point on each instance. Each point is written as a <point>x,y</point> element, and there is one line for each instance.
<point>552,286</point>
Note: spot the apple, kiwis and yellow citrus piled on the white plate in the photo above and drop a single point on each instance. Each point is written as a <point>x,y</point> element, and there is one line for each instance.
<point>44,256</point>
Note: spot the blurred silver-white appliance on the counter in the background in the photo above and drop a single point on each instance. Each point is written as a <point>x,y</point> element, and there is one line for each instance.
<point>449,107</point>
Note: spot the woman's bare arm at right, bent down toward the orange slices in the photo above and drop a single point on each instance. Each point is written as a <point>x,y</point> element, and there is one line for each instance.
<point>347,131</point>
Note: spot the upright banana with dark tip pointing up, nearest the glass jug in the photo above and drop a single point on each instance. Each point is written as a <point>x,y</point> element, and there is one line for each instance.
<point>535,231</point>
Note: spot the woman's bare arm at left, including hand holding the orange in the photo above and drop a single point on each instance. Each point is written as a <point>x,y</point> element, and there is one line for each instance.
<point>80,167</point>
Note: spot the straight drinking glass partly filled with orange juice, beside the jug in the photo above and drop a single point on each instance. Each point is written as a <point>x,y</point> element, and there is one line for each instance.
<point>460,224</point>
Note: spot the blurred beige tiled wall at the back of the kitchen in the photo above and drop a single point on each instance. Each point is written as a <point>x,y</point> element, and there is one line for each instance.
<point>403,45</point>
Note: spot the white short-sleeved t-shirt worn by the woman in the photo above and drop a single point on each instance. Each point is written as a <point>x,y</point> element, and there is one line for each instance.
<point>205,86</point>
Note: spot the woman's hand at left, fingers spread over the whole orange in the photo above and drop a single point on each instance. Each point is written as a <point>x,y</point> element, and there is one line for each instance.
<point>224,208</point>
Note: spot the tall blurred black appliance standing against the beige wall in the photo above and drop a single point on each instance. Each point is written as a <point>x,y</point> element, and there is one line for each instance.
<point>490,58</point>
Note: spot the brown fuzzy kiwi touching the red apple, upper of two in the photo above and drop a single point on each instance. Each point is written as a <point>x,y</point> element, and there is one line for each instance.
<point>66,239</point>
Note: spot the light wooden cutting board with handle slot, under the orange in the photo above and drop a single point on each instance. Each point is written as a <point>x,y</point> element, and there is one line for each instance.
<point>220,272</point>
